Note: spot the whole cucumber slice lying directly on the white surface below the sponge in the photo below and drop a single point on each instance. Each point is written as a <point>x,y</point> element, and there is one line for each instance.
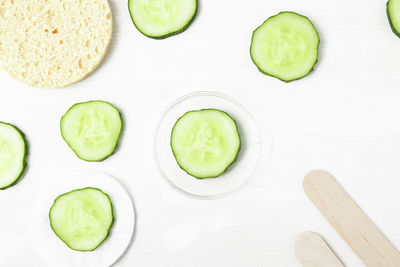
<point>92,129</point>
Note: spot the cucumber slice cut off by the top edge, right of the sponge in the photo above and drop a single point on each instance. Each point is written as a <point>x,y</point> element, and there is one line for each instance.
<point>160,19</point>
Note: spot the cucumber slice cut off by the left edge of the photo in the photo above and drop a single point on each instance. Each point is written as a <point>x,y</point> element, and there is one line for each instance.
<point>13,151</point>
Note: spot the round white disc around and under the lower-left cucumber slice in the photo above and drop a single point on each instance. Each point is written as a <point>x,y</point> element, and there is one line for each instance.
<point>55,252</point>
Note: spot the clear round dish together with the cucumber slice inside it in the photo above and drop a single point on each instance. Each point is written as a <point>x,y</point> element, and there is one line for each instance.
<point>242,164</point>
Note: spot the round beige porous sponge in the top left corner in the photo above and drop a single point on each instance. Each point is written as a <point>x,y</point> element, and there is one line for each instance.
<point>53,43</point>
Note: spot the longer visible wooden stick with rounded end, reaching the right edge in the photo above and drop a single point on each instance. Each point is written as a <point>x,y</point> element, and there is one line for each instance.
<point>350,221</point>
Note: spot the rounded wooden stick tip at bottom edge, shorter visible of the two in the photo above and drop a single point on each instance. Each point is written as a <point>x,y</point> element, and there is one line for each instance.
<point>312,251</point>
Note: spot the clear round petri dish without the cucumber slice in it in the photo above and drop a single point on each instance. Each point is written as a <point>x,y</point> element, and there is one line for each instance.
<point>236,175</point>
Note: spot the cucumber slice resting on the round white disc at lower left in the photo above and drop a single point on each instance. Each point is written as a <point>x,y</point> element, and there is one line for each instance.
<point>82,218</point>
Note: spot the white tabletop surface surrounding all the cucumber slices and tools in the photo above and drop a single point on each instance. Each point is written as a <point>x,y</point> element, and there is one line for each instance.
<point>344,117</point>
